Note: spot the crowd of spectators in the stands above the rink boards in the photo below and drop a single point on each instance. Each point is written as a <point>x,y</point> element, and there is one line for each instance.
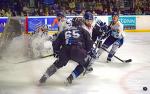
<point>72,7</point>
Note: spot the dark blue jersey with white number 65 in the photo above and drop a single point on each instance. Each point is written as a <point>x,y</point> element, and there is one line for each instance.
<point>73,36</point>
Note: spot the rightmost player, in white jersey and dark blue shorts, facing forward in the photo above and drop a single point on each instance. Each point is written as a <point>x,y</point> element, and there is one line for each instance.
<point>116,37</point>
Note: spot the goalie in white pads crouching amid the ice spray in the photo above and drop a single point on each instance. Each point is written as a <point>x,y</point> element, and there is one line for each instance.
<point>40,42</point>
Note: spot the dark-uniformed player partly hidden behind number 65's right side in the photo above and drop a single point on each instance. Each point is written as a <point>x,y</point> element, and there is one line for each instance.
<point>99,33</point>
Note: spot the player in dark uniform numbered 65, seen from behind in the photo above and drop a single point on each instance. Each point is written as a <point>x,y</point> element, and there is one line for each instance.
<point>74,44</point>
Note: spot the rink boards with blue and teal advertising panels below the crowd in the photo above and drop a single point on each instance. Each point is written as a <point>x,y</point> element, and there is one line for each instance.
<point>134,23</point>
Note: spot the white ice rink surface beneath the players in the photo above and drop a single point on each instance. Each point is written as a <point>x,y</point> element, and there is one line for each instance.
<point>107,78</point>
